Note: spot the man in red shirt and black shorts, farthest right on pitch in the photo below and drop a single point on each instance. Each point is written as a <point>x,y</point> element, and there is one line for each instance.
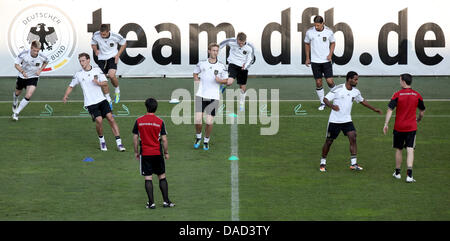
<point>407,101</point>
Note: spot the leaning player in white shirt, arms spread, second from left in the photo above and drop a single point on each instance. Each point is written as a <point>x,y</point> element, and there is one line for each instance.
<point>91,79</point>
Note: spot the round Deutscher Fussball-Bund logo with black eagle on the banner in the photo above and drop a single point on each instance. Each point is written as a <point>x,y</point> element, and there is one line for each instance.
<point>48,25</point>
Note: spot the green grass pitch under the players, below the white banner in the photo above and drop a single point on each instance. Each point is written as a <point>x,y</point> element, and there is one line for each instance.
<point>43,177</point>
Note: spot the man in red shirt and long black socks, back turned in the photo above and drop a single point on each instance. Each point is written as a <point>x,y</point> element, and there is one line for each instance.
<point>152,132</point>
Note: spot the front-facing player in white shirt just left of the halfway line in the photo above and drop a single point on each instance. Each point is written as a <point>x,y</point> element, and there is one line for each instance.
<point>209,74</point>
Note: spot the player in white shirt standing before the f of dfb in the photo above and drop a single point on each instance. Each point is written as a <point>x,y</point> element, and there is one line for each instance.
<point>319,48</point>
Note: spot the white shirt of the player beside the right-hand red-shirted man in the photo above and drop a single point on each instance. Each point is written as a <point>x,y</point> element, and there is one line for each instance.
<point>343,98</point>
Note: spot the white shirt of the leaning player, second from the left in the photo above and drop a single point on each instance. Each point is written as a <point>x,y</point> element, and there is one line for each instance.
<point>92,92</point>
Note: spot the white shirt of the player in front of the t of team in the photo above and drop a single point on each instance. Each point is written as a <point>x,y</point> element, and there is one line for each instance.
<point>107,46</point>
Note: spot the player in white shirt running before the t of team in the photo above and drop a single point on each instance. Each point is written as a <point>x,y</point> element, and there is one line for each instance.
<point>108,57</point>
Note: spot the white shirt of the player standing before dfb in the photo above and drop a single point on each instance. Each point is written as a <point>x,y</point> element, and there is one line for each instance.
<point>320,43</point>
